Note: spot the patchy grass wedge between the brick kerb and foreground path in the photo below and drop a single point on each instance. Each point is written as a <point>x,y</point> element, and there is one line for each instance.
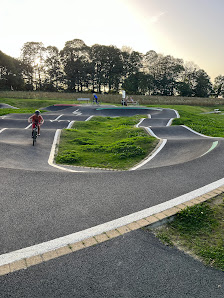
<point>199,230</point>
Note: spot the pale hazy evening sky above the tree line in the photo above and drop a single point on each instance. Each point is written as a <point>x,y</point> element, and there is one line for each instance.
<point>188,29</point>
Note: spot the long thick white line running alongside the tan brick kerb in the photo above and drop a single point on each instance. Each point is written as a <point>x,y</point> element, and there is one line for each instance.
<point>99,229</point>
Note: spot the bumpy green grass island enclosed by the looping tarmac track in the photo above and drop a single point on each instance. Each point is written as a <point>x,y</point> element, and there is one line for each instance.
<point>105,142</point>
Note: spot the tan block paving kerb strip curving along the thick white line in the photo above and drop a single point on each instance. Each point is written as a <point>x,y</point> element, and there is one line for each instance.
<point>155,219</point>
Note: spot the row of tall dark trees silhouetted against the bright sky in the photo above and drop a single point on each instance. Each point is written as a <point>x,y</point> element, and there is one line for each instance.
<point>99,68</point>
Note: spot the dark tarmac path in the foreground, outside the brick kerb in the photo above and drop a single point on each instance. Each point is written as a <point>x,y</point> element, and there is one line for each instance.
<point>135,265</point>
